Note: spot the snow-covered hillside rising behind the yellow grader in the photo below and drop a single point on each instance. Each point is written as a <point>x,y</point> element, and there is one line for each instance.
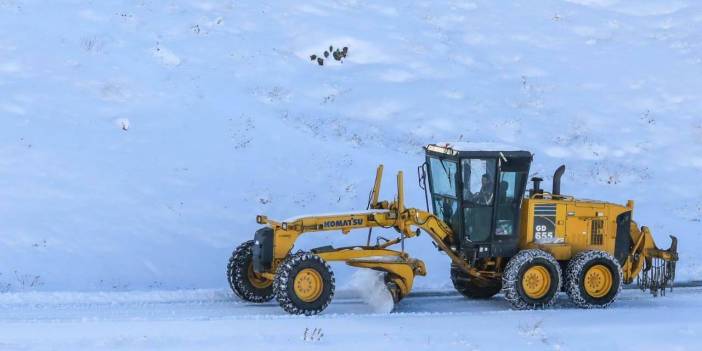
<point>139,139</point>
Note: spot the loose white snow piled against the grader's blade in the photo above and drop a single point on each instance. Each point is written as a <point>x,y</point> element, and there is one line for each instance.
<point>370,286</point>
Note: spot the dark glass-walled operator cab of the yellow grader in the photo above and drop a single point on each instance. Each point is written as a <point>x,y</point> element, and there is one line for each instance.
<point>478,194</point>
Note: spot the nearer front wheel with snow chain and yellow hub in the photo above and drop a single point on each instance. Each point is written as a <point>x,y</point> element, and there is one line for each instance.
<point>304,284</point>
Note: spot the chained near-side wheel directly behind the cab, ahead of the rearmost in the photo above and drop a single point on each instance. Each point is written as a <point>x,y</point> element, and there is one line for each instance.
<point>532,280</point>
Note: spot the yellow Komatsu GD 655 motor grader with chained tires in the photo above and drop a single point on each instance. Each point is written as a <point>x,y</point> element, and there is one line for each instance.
<point>499,237</point>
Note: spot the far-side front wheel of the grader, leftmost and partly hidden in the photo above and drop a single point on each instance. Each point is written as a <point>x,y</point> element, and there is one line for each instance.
<point>243,281</point>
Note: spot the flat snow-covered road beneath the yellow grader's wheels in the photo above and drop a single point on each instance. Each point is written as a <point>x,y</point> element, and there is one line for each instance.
<point>212,319</point>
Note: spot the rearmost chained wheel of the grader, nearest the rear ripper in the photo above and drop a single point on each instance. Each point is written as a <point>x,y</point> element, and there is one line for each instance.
<point>594,279</point>
